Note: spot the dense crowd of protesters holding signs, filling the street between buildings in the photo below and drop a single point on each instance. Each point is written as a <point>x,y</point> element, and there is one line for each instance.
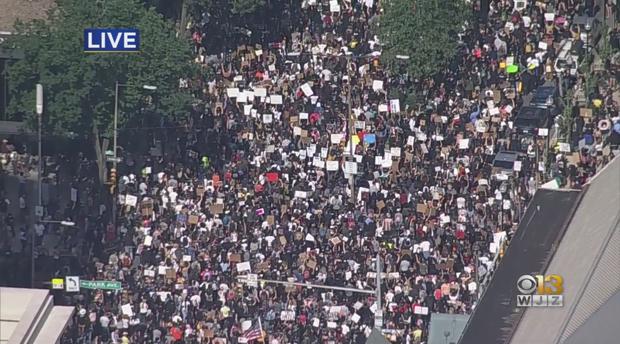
<point>302,163</point>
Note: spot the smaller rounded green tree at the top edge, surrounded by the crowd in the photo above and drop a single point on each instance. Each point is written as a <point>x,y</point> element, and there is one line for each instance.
<point>424,30</point>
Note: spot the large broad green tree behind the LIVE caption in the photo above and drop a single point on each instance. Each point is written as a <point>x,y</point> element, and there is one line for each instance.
<point>79,87</point>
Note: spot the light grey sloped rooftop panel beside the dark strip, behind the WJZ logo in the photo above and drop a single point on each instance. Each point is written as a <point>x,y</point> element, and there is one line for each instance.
<point>587,258</point>
